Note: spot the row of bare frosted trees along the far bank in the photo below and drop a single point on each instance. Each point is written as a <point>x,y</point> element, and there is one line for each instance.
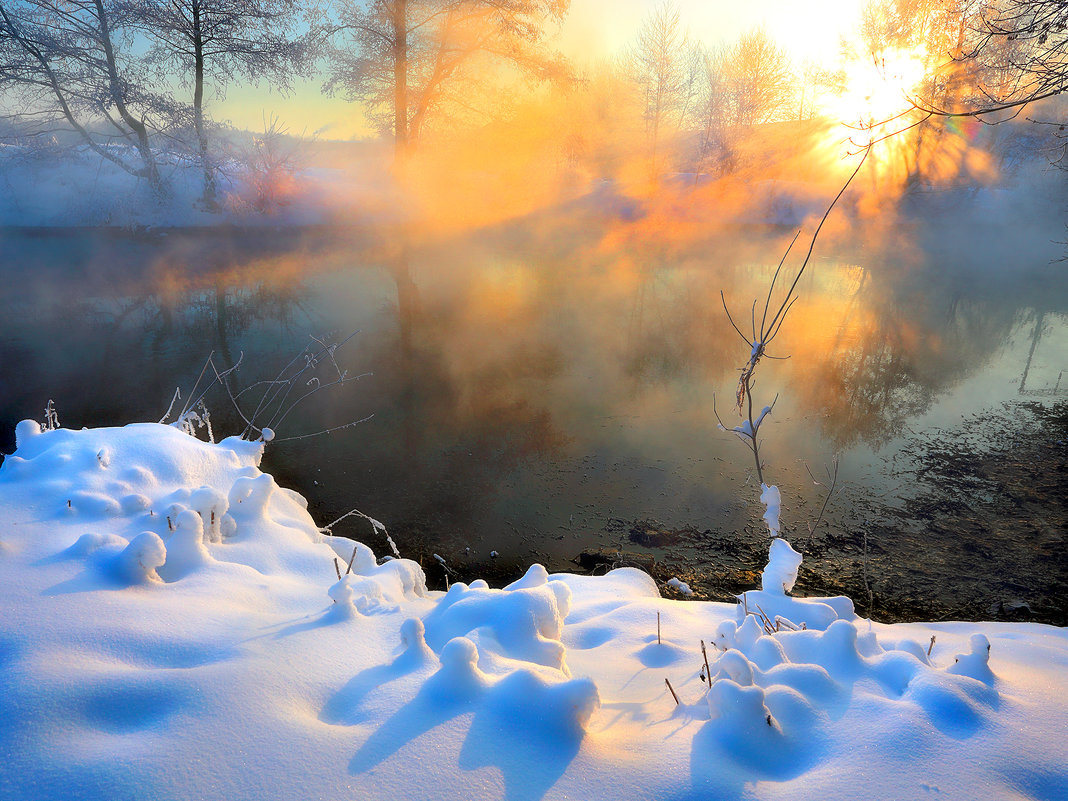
<point>130,80</point>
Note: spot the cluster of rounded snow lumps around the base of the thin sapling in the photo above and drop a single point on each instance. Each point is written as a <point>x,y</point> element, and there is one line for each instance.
<point>776,682</point>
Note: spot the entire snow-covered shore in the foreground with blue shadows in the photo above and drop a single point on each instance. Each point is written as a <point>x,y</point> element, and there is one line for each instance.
<point>174,627</point>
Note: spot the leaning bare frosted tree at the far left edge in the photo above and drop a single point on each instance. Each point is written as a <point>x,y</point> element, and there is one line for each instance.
<point>68,64</point>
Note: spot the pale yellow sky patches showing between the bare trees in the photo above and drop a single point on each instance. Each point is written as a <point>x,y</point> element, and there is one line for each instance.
<point>809,29</point>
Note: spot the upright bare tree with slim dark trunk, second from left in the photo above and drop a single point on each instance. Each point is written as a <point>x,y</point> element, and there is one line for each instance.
<point>215,41</point>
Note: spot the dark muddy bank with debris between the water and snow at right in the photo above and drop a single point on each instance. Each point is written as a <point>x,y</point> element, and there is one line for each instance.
<point>978,532</point>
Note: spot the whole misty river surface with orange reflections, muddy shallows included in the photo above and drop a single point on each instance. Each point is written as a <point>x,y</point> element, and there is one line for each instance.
<point>545,390</point>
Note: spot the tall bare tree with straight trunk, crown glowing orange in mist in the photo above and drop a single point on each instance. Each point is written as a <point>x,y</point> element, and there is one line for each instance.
<point>407,60</point>
